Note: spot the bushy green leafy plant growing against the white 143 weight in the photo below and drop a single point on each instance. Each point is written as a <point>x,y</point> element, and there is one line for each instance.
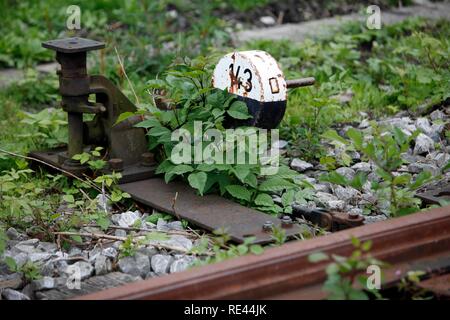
<point>189,98</point>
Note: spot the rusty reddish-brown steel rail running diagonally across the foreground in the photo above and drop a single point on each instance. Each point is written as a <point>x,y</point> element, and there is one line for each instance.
<point>421,241</point>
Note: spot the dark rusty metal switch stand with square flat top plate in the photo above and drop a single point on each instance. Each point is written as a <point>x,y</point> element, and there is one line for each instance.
<point>123,143</point>
